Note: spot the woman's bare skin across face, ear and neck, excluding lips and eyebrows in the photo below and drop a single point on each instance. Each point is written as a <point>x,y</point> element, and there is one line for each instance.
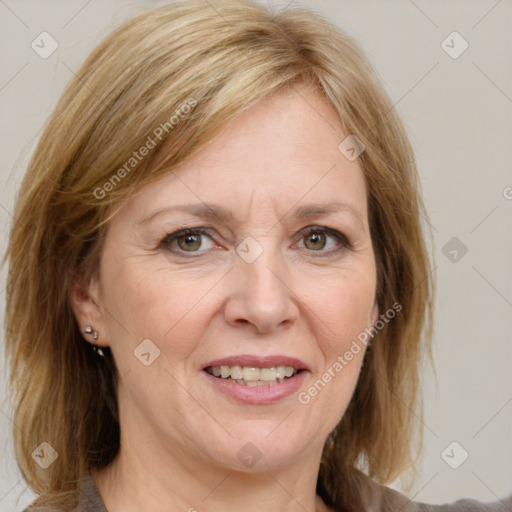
<point>301,297</point>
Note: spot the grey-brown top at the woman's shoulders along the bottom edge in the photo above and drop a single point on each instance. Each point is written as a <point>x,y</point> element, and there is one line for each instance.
<point>382,499</point>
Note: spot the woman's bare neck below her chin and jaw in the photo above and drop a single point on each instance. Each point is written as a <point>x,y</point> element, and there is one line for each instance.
<point>146,480</point>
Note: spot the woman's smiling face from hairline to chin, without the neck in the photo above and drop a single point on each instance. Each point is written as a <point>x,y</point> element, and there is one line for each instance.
<point>247,288</point>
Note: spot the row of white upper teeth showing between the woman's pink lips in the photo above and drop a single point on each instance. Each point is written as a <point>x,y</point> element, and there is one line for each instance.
<point>253,376</point>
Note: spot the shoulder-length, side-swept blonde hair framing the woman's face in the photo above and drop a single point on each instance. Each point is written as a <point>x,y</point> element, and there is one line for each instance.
<point>220,62</point>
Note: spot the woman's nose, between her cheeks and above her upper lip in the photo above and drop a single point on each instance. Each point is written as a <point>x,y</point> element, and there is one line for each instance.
<point>261,295</point>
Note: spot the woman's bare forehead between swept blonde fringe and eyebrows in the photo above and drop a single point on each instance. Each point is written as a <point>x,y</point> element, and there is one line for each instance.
<point>281,151</point>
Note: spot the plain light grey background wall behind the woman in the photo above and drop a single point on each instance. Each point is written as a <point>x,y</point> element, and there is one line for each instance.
<point>457,108</point>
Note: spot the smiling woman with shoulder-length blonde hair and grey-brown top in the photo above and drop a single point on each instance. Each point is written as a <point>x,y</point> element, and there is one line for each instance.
<point>206,182</point>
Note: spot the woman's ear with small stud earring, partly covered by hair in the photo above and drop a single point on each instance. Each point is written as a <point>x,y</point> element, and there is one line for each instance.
<point>85,302</point>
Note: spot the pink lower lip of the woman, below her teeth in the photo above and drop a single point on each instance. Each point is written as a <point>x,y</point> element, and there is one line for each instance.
<point>258,395</point>
